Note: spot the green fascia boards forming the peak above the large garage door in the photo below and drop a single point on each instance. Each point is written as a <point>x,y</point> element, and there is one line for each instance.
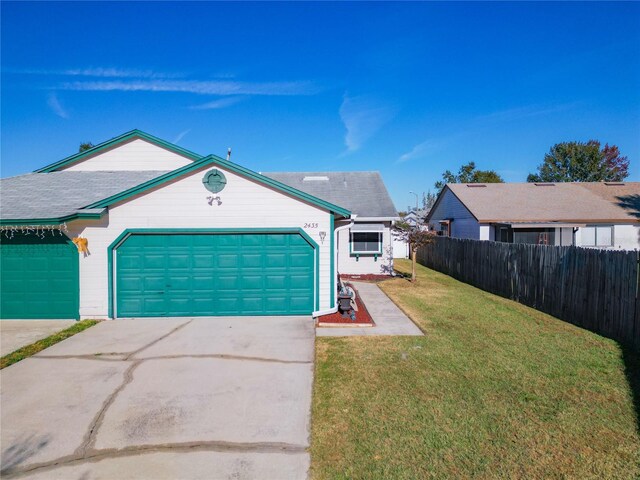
<point>214,160</point>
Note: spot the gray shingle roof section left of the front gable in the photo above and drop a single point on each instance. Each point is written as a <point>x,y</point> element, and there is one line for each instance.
<point>58,194</point>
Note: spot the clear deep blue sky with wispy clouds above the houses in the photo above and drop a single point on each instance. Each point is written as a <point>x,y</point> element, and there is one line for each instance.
<point>409,89</point>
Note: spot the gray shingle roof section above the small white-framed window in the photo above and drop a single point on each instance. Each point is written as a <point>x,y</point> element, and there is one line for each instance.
<point>363,193</point>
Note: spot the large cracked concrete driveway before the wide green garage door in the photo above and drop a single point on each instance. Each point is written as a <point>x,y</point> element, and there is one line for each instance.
<point>209,398</point>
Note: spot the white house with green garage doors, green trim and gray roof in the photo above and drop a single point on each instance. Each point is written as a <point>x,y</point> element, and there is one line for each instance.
<point>169,232</point>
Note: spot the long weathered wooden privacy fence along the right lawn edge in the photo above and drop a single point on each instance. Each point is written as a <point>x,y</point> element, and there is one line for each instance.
<point>594,289</point>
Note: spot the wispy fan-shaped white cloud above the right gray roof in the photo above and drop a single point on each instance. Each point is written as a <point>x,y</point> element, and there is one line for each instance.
<point>362,117</point>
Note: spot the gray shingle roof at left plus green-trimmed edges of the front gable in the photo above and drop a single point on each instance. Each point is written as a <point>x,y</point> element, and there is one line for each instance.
<point>37,196</point>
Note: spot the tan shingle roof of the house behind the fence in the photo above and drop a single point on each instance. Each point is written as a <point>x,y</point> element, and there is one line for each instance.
<point>598,202</point>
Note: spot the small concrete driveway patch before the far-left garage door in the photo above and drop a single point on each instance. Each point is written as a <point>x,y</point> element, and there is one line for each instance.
<point>15,334</point>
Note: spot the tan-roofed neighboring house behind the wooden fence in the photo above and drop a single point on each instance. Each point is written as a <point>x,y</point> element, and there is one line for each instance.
<point>601,215</point>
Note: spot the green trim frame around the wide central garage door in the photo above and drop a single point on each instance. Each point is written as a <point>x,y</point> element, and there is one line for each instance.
<point>219,231</point>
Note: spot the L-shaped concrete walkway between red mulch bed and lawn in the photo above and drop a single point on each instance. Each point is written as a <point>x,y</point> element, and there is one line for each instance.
<point>389,319</point>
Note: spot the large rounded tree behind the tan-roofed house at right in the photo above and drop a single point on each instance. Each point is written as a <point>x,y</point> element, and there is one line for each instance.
<point>582,162</point>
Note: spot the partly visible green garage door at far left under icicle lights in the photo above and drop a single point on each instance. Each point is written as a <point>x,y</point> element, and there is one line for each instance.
<point>38,277</point>
